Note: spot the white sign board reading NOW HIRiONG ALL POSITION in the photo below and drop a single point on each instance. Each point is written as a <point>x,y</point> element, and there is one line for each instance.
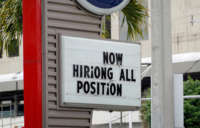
<point>100,74</point>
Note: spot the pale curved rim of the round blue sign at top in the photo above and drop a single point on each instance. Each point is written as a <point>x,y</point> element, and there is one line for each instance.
<point>102,11</point>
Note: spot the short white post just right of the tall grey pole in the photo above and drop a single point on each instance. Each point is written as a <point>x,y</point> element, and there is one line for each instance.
<point>178,101</point>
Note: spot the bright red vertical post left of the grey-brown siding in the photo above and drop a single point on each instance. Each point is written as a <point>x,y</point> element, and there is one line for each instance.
<point>32,50</point>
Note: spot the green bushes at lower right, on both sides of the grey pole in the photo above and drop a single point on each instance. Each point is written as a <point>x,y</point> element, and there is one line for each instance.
<point>191,106</point>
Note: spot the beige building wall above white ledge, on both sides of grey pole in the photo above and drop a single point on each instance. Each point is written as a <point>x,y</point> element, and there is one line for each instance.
<point>185,31</point>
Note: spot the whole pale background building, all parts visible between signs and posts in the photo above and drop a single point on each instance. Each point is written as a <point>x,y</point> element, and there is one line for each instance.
<point>186,58</point>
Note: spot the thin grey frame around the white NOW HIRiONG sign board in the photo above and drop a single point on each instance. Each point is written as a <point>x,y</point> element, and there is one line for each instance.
<point>95,106</point>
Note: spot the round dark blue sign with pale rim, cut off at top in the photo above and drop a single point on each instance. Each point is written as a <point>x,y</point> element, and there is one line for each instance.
<point>103,7</point>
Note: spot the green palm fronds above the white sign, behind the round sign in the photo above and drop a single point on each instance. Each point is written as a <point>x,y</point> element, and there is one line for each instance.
<point>135,15</point>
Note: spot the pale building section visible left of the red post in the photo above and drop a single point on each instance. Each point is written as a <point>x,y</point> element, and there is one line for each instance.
<point>11,90</point>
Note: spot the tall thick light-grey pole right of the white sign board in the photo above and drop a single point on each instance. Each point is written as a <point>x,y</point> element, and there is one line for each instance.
<point>162,79</point>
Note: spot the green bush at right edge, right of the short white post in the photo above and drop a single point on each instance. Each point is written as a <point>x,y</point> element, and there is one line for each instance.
<point>192,106</point>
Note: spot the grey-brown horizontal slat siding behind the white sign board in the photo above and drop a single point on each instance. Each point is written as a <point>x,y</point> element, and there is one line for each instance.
<point>65,17</point>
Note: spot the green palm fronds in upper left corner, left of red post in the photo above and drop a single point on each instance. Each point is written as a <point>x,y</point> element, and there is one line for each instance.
<point>10,25</point>
